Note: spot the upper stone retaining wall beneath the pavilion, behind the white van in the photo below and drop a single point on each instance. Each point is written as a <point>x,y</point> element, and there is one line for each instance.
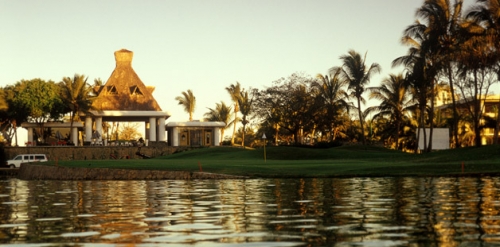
<point>93,152</point>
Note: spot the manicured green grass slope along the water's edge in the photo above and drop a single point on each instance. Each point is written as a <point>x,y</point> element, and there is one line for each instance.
<point>308,162</point>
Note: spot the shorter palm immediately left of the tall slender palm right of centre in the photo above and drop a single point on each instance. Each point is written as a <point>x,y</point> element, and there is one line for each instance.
<point>331,90</point>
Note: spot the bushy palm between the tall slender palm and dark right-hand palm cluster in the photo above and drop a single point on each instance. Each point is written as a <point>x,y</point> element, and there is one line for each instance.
<point>396,102</point>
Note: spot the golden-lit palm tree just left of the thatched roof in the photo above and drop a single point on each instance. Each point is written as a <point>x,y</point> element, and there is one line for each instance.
<point>76,94</point>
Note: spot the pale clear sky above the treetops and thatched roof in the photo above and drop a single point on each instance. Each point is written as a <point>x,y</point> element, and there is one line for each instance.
<point>202,45</point>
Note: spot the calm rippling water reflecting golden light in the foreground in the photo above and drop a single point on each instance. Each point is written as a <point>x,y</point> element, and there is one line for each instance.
<point>255,212</point>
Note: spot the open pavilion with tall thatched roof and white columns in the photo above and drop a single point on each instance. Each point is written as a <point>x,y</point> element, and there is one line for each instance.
<point>125,98</point>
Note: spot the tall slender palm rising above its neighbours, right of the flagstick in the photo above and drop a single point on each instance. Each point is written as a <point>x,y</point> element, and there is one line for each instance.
<point>357,75</point>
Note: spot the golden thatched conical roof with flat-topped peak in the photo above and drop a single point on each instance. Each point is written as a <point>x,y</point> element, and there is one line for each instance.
<point>124,90</point>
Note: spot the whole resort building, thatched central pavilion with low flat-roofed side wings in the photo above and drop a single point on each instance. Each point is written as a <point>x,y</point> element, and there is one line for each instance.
<point>125,98</point>
